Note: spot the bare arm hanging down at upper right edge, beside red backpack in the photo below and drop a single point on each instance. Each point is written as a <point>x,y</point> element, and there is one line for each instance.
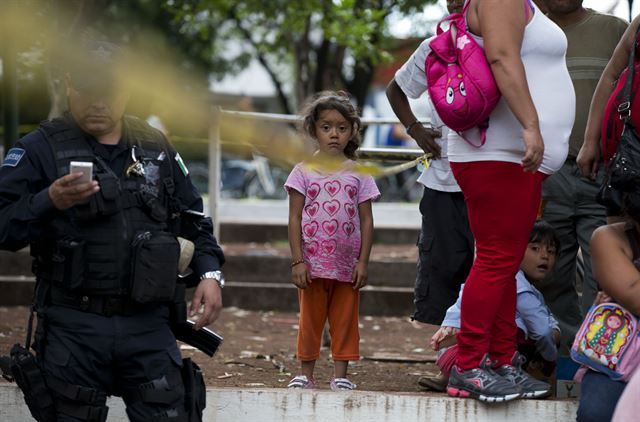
<point>589,156</point>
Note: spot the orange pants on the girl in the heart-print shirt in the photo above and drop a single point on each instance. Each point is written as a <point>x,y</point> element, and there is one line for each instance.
<point>338,302</point>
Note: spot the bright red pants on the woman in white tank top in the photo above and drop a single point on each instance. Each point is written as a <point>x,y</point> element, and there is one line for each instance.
<point>502,201</point>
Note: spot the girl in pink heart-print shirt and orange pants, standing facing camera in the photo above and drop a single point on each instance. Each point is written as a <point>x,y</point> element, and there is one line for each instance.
<point>330,234</point>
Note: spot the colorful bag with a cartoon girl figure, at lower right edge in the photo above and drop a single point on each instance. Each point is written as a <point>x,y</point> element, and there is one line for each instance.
<point>608,341</point>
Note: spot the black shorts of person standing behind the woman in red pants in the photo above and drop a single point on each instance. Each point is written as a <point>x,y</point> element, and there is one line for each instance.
<point>445,254</point>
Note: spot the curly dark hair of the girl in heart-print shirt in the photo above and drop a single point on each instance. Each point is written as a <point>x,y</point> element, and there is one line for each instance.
<point>331,100</point>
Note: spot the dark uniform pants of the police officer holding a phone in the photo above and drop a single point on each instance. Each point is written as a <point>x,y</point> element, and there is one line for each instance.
<point>113,356</point>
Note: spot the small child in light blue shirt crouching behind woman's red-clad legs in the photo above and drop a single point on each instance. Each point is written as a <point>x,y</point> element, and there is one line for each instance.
<point>538,331</point>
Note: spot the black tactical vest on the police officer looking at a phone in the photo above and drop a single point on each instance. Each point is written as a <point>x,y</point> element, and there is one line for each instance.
<point>87,249</point>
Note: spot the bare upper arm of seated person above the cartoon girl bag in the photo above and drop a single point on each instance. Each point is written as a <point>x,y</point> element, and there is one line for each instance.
<point>611,259</point>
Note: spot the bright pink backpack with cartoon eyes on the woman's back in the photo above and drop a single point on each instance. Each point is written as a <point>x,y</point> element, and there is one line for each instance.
<point>459,79</point>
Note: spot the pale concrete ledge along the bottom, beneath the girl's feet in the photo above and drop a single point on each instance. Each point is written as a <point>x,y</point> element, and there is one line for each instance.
<point>251,405</point>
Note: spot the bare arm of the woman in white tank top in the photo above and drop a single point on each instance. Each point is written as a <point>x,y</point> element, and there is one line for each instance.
<point>501,24</point>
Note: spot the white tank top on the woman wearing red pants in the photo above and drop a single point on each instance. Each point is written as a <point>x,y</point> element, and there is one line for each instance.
<point>543,54</point>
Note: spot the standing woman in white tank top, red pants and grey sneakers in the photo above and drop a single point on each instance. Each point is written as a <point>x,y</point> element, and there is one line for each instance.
<point>527,140</point>
